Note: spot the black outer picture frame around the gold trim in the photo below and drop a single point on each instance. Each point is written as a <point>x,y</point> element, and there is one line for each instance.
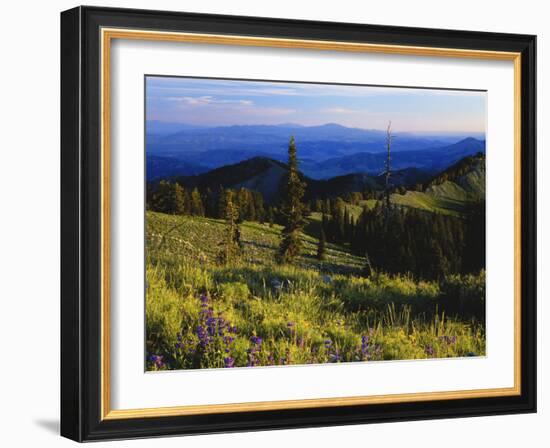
<point>81,224</point>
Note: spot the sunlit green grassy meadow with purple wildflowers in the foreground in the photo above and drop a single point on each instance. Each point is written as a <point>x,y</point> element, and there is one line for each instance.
<point>256,312</point>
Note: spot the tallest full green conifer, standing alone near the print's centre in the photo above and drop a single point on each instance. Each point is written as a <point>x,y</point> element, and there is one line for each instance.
<point>292,209</point>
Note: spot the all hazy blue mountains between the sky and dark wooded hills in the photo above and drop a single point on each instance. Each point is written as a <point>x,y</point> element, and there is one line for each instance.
<point>324,151</point>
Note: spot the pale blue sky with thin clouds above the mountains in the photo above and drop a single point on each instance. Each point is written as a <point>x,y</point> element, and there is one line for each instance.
<point>211,102</point>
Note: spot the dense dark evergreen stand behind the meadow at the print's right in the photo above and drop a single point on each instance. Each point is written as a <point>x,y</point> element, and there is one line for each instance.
<point>424,244</point>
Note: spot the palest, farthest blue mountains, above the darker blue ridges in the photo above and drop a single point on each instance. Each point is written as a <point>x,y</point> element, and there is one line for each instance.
<point>223,145</point>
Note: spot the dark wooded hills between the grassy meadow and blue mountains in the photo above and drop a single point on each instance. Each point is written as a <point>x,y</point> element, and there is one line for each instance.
<point>351,213</point>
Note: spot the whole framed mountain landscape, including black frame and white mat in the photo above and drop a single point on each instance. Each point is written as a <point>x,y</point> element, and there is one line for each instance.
<point>276,224</point>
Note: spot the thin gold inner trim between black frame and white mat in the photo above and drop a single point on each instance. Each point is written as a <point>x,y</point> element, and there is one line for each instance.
<point>107,35</point>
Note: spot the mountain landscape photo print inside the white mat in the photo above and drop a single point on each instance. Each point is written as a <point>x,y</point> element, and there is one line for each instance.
<point>303,223</point>
